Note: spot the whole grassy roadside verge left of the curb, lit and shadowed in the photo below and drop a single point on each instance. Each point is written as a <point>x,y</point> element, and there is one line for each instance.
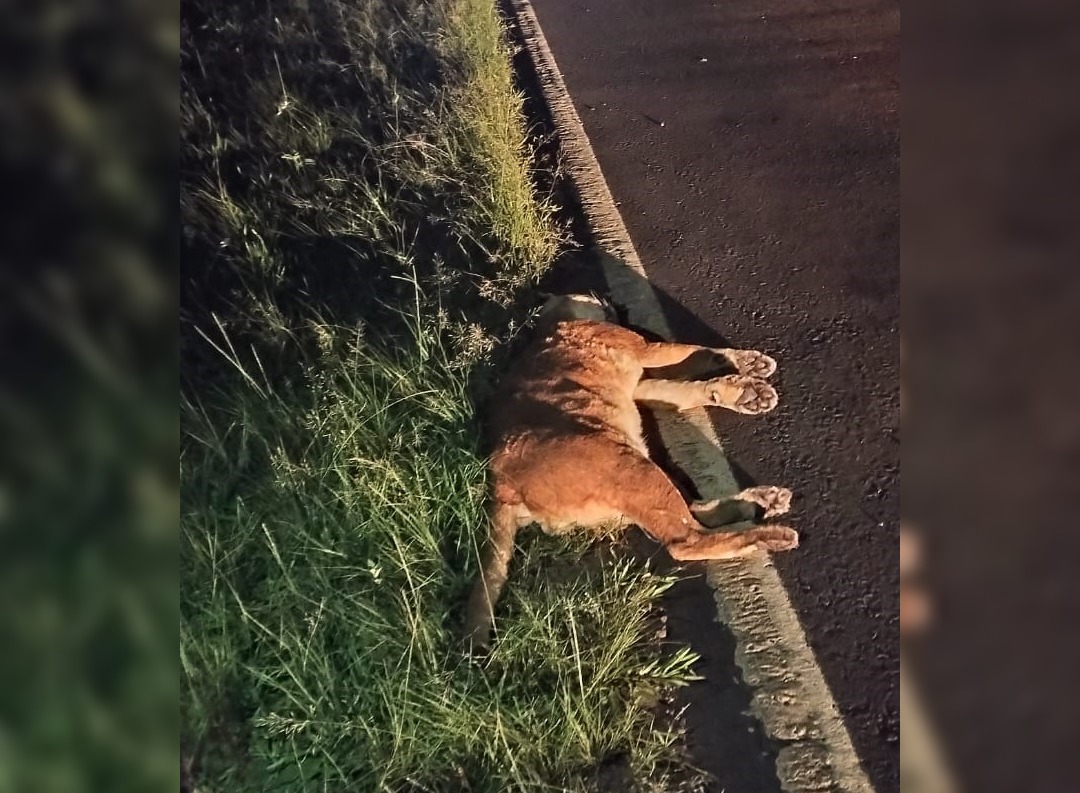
<point>360,238</point>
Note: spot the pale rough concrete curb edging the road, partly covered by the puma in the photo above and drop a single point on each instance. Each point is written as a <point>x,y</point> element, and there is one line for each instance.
<point>790,693</point>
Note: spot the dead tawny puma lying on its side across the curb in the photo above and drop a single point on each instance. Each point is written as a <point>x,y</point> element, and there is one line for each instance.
<point>569,450</point>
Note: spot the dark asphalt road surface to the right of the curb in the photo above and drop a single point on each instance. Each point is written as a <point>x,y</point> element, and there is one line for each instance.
<point>754,150</point>
